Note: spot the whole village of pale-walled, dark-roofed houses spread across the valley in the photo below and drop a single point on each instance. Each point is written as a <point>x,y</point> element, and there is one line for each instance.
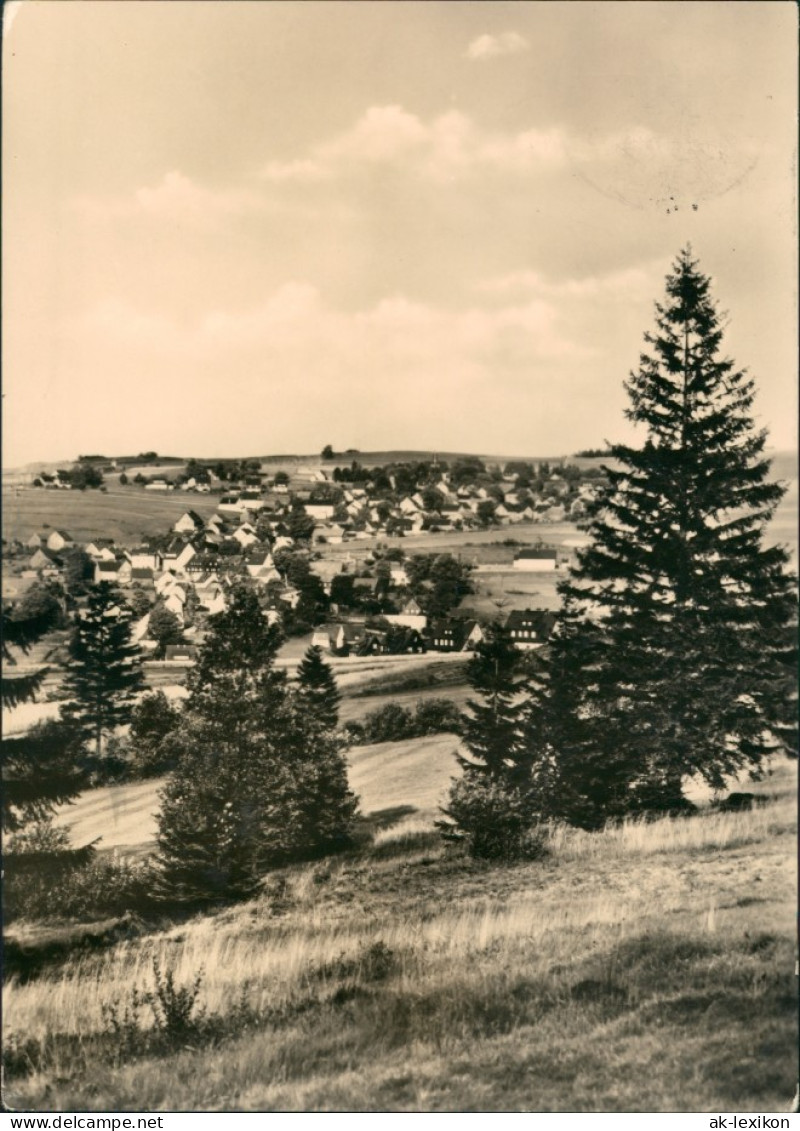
<point>259,517</point>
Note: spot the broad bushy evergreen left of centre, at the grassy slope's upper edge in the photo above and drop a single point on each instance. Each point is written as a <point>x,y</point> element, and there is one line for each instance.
<point>260,781</point>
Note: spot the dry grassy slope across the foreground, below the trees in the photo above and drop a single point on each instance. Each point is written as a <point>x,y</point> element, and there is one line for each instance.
<point>646,969</point>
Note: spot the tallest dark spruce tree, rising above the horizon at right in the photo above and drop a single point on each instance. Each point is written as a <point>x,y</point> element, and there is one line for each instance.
<point>683,617</point>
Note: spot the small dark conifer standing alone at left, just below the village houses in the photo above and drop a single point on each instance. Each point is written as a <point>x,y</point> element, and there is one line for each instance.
<point>105,675</point>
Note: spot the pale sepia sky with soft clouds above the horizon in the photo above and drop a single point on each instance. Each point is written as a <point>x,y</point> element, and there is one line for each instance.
<point>238,229</point>
